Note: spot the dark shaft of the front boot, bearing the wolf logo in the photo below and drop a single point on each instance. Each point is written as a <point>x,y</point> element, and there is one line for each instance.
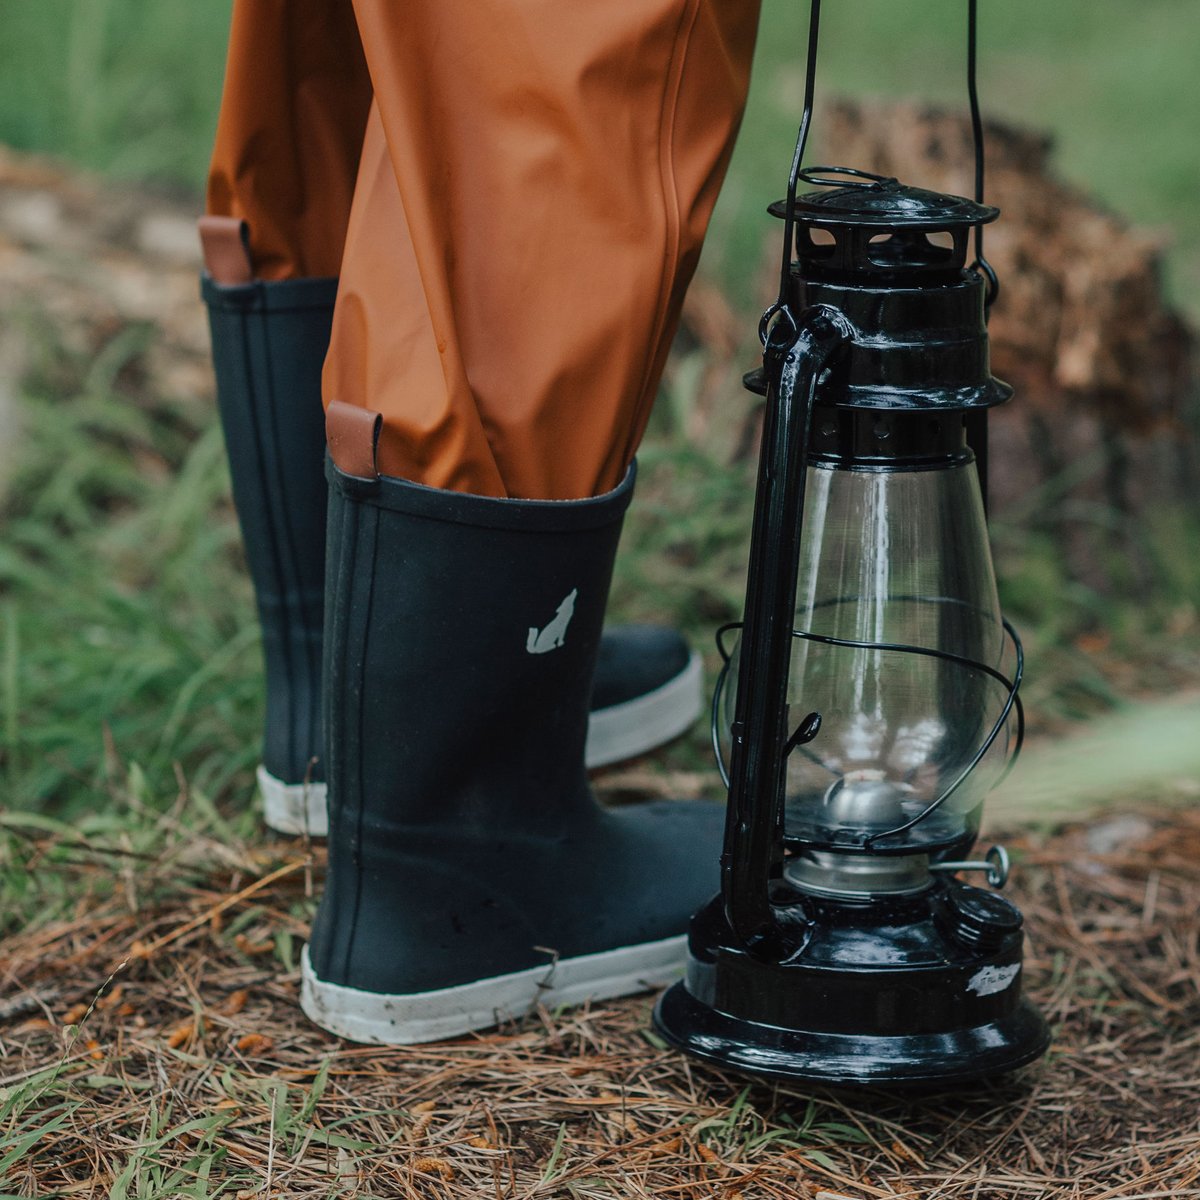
<point>461,640</point>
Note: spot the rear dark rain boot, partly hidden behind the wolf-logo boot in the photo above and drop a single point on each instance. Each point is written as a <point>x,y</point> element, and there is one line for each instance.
<point>269,343</point>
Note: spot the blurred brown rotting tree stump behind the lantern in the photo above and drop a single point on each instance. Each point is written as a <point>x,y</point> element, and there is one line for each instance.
<point>1103,429</point>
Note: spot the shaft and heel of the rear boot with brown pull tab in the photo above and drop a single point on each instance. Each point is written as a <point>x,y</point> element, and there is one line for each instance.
<point>269,343</point>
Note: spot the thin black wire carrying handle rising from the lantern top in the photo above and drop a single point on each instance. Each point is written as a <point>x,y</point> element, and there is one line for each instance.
<point>782,332</point>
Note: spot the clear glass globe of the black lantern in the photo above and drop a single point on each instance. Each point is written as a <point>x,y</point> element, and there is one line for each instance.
<point>893,557</point>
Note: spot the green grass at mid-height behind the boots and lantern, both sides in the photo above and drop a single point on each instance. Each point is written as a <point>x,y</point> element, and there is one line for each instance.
<point>128,633</point>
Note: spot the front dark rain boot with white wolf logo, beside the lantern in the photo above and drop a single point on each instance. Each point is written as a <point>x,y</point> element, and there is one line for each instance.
<point>471,872</point>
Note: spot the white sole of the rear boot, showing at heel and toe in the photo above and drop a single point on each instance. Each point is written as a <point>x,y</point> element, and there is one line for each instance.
<point>615,734</point>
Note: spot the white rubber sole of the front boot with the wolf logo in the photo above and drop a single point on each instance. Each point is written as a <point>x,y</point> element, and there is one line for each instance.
<point>380,1019</point>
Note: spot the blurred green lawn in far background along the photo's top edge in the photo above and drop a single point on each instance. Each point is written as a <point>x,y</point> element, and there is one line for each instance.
<point>131,88</point>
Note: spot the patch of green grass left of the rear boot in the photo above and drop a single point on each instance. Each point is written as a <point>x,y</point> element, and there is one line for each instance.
<point>128,625</point>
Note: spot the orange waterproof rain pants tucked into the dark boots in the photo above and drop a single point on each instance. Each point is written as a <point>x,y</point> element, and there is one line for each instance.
<point>514,195</point>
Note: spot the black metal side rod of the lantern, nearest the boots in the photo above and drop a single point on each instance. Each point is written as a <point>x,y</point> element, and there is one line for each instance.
<point>754,825</point>
